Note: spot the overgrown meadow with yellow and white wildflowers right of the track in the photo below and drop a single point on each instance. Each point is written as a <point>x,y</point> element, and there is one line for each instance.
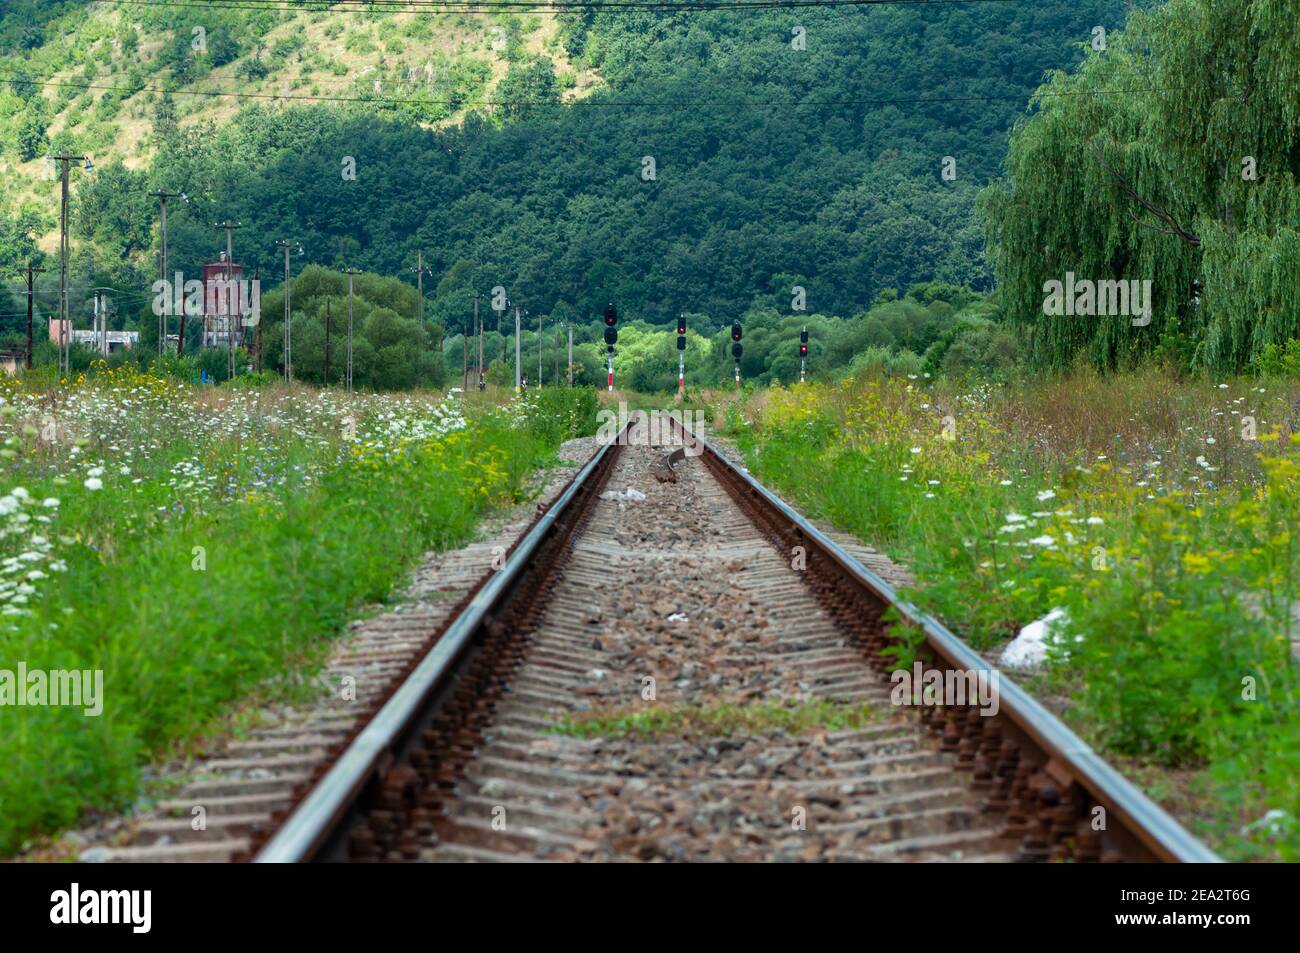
<point>1160,514</point>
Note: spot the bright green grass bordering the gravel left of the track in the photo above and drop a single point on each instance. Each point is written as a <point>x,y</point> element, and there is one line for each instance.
<point>183,633</point>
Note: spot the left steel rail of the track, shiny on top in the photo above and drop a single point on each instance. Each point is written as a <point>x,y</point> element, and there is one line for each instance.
<point>313,821</point>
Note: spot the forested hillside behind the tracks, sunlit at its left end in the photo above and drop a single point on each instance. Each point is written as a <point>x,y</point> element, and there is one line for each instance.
<point>722,157</point>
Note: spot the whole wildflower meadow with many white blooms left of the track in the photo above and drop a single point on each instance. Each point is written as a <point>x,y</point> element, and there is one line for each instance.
<point>206,545</point>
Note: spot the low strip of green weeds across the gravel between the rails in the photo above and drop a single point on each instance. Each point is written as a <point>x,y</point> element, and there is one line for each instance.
<point>701,721</point>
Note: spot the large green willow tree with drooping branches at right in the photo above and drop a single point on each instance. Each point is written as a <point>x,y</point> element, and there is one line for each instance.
<point>1173,155</point>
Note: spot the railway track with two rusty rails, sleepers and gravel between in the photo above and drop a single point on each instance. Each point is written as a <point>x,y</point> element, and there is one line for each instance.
<point>684,669</point>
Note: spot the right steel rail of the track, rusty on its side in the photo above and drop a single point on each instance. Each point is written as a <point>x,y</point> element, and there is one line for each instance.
<point>1147,821</point>
